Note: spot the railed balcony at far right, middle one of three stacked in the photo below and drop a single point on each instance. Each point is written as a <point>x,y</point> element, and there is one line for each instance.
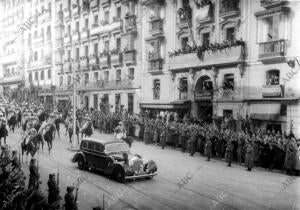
<point>273,50</point>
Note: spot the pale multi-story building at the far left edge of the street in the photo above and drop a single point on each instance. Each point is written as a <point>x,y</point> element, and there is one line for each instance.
<point>11,49</point>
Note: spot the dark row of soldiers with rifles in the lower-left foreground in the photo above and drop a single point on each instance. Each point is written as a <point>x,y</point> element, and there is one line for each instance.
<point>15,196</point>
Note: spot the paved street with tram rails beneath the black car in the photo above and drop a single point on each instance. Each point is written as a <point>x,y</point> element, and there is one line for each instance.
<point>183,182</point>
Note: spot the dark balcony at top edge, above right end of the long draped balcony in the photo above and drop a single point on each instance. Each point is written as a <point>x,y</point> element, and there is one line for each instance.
<point>229,8</point>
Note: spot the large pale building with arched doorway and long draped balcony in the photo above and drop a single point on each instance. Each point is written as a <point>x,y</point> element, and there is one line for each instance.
<point>222,58</point>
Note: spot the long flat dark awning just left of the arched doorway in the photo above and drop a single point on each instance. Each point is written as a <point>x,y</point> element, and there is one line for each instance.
<point>172,105</point>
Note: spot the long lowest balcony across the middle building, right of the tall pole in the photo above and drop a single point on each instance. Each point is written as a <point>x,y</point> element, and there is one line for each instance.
<point>106,85</point>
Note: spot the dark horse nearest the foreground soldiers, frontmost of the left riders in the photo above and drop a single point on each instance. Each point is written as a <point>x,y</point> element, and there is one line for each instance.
<point>32,145</point>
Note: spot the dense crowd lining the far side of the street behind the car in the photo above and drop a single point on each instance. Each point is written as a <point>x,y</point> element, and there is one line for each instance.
<point>248,145</point>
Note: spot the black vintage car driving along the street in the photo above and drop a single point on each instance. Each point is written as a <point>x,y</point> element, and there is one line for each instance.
<point>114,159</point>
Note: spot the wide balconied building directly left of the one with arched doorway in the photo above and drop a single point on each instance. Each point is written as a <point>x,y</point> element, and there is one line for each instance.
<point>97,41</point>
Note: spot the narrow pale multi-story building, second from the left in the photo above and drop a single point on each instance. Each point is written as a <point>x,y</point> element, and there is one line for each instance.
<point>39,49</point>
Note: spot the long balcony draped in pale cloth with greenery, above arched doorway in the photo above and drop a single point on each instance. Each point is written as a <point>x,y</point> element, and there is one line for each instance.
<point>233,55</point>
